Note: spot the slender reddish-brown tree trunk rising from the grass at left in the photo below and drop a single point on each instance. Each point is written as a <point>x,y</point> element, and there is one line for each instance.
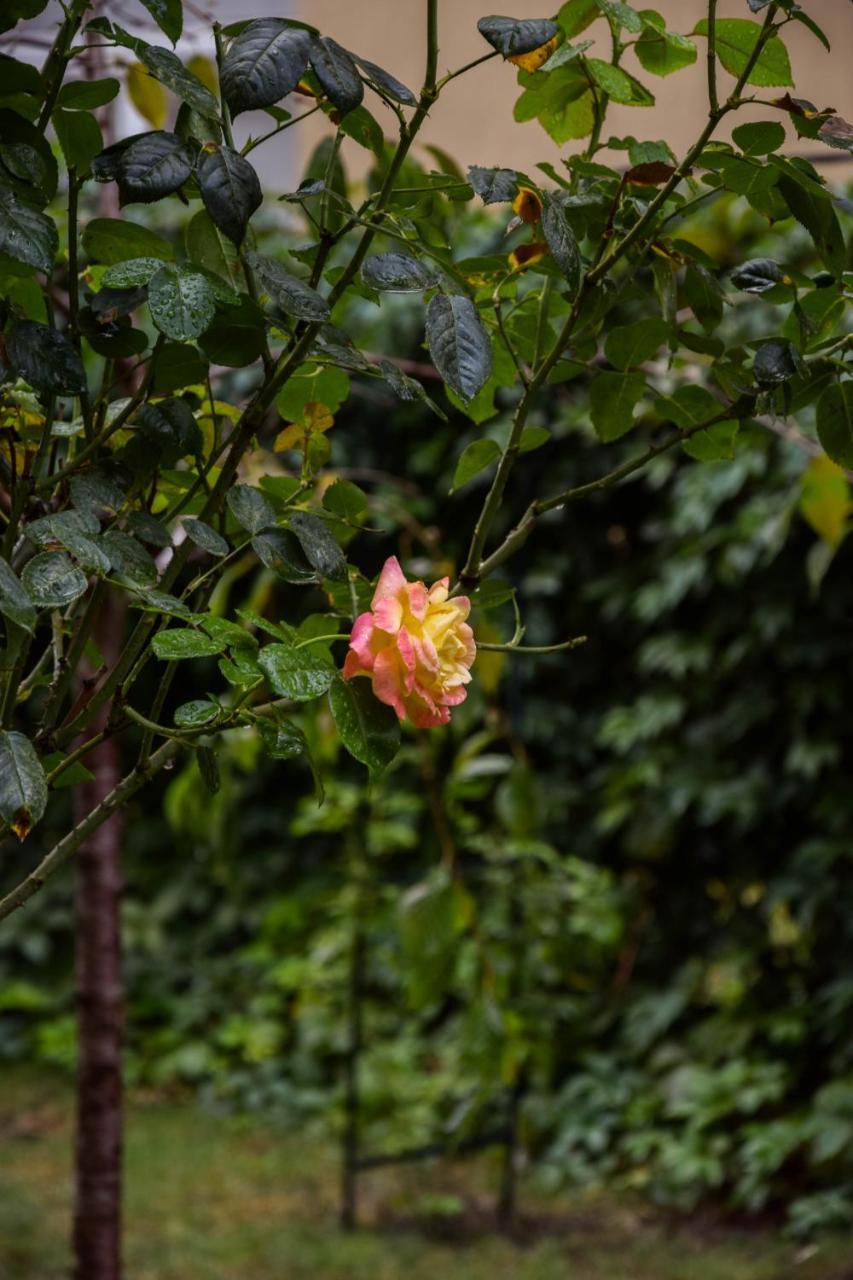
<point>101,1011</point>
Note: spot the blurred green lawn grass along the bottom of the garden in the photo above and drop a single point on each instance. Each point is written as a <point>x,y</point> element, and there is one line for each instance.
<point>213,1199</point>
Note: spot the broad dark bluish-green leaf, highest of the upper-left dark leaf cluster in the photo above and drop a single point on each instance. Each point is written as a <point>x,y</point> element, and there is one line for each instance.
<point>264,63</point>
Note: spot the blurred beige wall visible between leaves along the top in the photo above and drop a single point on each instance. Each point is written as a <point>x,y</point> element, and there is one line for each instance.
<point>475,121</point>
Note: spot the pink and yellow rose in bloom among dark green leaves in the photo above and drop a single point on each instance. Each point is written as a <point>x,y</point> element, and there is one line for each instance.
<point>416,646</point>
